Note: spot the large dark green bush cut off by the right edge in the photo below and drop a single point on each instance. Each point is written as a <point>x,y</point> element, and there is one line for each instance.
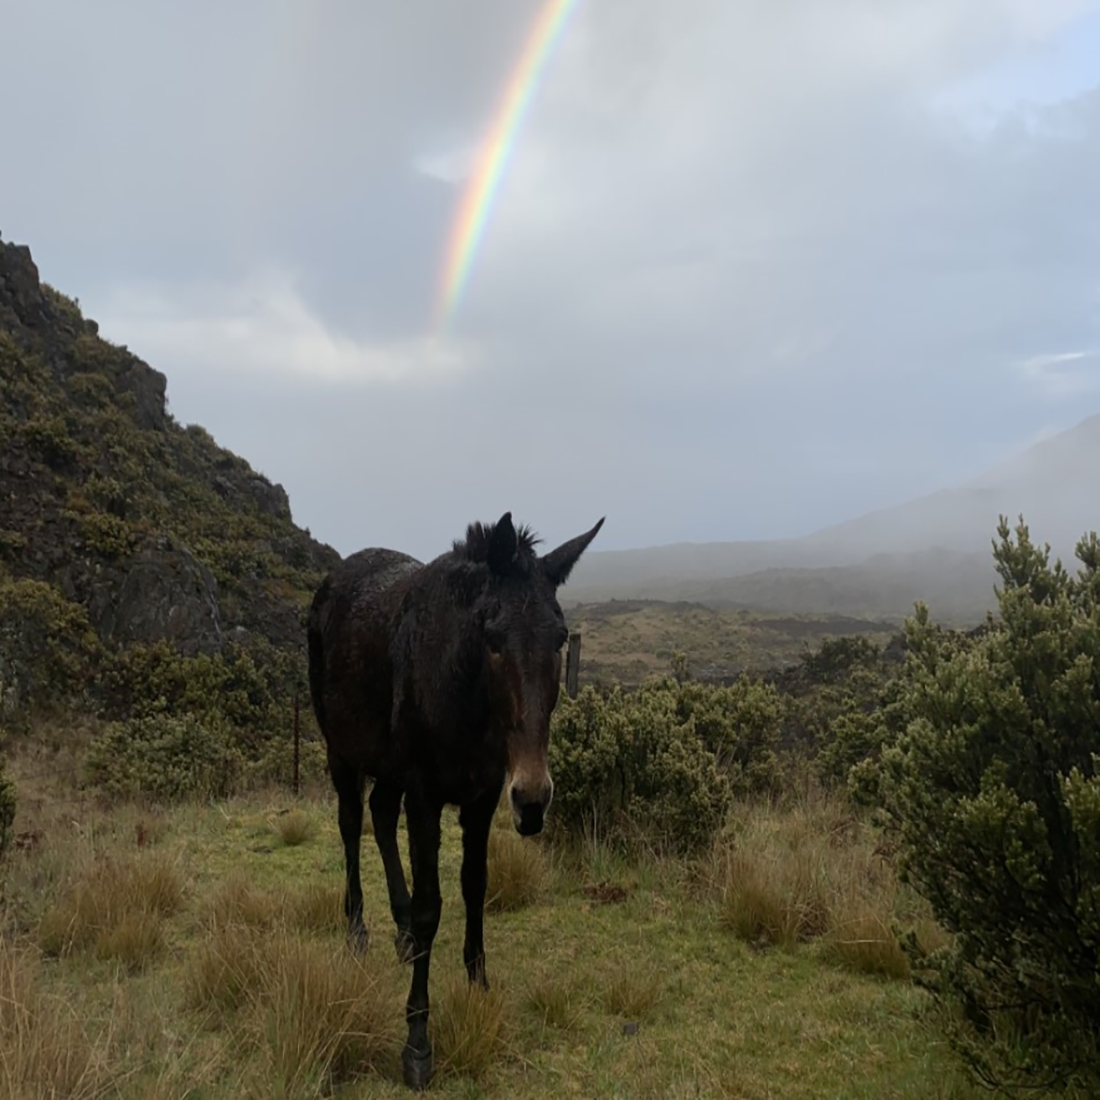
<point>995,795</point>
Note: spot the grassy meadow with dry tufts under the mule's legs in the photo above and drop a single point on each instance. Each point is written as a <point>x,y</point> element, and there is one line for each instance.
<point>199,952</point>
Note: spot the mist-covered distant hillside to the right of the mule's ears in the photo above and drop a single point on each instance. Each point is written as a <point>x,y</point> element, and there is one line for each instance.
<point>934,548</point>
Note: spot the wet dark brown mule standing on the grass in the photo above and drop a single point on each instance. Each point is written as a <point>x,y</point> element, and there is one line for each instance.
<point>438,683</point>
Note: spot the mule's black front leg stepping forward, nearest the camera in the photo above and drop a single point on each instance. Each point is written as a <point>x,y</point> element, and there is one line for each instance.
<point>423,816</point>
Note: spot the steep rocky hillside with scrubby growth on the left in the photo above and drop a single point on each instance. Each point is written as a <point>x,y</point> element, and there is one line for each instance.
<point>151,527</point>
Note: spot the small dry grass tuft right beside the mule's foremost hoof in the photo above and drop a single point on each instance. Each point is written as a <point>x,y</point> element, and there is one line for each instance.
<point>467,1025</point>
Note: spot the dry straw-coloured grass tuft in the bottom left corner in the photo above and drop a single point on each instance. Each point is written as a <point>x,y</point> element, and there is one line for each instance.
<point>46,1052</point>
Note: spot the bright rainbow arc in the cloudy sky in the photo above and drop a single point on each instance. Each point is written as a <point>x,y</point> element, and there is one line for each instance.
<point>493,158</point>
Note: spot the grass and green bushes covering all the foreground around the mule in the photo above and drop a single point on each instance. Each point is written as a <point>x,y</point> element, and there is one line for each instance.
<point>739,896</point>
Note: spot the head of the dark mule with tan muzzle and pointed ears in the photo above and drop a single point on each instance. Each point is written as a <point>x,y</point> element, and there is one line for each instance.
<point>524,632</point>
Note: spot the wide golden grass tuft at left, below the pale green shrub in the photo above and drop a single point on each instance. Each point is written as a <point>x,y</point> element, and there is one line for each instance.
<point>115,906</point>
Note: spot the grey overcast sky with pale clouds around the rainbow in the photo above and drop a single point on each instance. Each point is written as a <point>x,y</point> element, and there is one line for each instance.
<point>756,266</point>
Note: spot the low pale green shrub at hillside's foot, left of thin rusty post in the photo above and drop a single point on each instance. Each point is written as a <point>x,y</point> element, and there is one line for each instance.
<point>167,758</point>
